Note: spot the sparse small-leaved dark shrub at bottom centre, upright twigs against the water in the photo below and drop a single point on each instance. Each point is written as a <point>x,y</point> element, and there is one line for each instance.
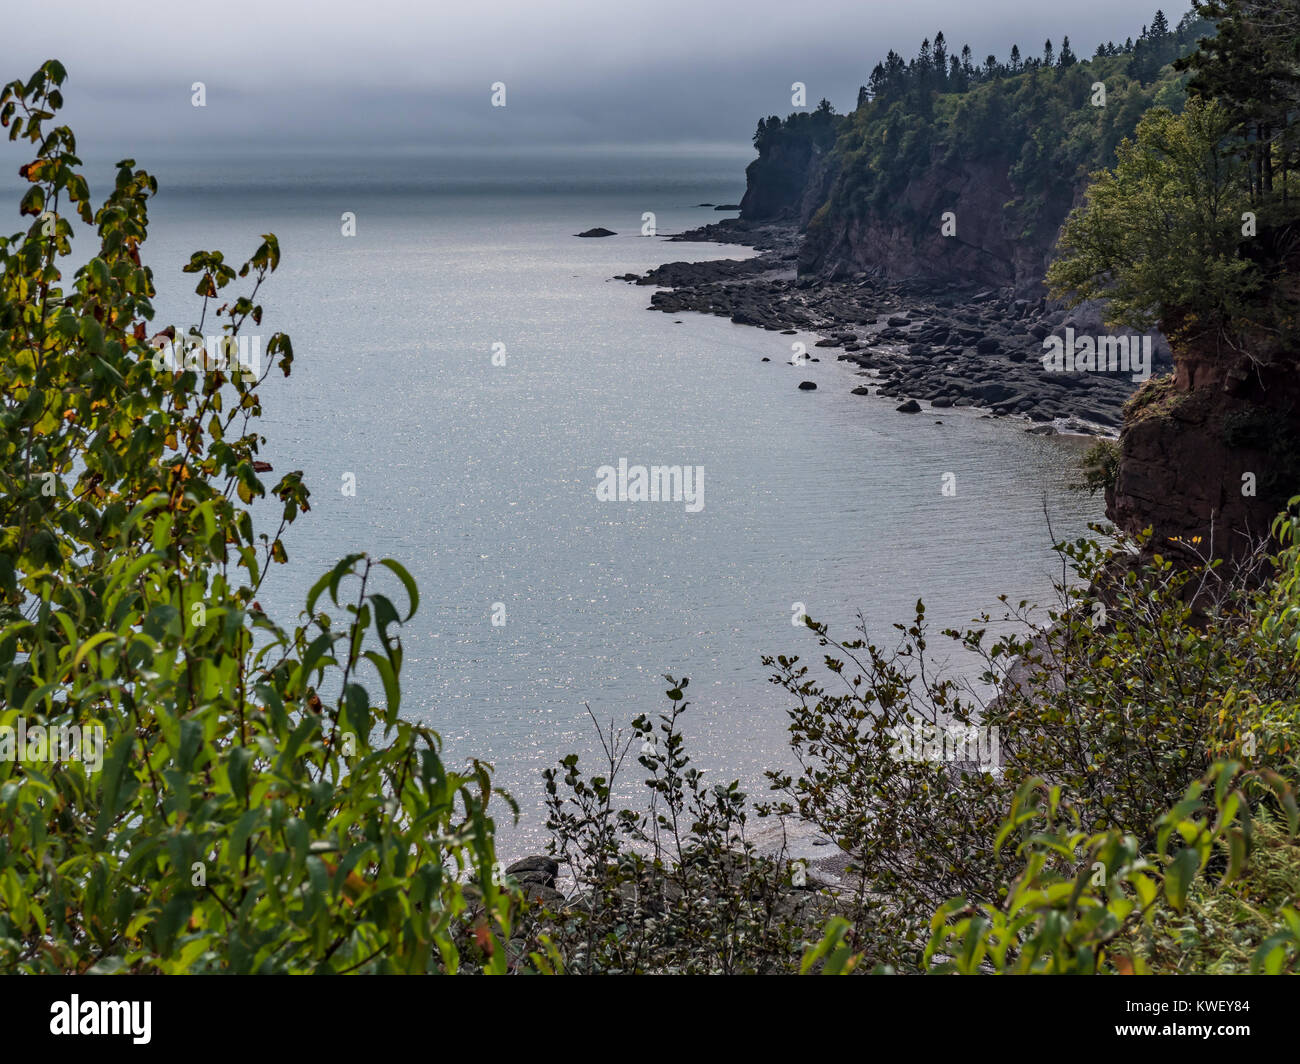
<point>677,886</point>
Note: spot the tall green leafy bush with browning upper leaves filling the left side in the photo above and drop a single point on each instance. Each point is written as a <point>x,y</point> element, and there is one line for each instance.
<point>240,823</point>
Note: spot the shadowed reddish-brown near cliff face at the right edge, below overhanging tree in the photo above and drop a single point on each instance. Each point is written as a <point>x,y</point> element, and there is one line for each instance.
<point>1211,455</point>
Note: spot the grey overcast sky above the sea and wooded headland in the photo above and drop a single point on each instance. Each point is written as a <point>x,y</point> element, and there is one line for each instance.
<point>354,77</point>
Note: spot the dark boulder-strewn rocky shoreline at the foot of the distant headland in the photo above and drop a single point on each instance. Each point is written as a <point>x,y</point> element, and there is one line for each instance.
<point>954,348</point>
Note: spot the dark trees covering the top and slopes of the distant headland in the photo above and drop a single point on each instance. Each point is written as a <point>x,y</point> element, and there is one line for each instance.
<point>1038,120</point>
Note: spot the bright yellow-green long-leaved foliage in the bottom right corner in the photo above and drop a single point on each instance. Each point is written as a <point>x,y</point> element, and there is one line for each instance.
<point>1082,899</point>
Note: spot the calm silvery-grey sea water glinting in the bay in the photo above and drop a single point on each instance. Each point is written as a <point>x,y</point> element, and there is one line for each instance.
<point>482,478</point>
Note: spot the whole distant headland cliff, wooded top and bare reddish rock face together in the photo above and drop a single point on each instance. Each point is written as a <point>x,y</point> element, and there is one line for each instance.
<point>1003,161</point>
